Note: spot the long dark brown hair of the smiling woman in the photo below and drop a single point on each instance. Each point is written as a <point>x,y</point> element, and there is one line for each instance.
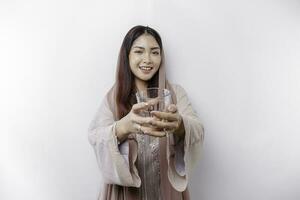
<point>125,85</point>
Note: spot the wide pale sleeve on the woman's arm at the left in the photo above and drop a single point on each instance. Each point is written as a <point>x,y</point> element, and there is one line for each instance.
<point>114,161</point>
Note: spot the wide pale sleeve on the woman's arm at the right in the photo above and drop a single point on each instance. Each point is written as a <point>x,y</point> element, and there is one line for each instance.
<point>183,154</point>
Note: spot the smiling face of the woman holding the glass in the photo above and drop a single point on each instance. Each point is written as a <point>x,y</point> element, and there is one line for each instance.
<point>144,57</point>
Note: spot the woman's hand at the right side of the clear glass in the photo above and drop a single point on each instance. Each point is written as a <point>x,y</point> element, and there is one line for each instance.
<point>170,121</point>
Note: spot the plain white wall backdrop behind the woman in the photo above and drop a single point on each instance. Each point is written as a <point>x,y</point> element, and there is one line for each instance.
<point>239,61</point>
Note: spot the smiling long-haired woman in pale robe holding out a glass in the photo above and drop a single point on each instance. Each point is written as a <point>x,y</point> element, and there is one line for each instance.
<point>118,132</point>
